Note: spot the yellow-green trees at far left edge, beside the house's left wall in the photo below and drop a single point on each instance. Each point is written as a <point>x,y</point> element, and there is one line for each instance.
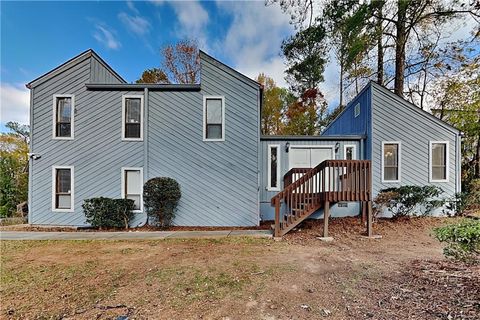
<point>13,168</point>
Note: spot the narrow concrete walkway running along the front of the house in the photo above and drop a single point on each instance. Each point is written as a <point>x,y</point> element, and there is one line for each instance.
<point>152,235</point>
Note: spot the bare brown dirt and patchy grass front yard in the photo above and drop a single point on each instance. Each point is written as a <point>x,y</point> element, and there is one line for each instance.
<point>401,276</point>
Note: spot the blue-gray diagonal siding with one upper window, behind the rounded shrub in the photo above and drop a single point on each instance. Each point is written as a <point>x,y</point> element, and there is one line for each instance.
<point>218,179</point>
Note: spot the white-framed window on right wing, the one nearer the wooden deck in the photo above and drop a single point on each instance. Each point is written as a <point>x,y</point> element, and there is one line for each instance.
<point>391,161</point>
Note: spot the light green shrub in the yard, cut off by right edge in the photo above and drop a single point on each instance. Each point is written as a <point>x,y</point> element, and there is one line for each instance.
<point>462,239</point>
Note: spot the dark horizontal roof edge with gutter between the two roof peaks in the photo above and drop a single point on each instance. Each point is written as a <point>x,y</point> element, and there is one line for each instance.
<point>142,86</point>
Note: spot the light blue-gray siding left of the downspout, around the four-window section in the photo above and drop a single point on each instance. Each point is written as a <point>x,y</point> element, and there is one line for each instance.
<point>97,152</point>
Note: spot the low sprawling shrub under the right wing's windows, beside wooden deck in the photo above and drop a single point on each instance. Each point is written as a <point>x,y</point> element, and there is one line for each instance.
<point>409,200</point>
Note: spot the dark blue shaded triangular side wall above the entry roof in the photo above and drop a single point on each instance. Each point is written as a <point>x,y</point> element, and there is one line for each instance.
<point>346,123</point>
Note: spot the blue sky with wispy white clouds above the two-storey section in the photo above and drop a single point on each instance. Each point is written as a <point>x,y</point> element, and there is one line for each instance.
<point>38,36</point>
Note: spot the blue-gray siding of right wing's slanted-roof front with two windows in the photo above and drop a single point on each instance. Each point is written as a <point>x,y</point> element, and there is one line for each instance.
<point>394,119</point>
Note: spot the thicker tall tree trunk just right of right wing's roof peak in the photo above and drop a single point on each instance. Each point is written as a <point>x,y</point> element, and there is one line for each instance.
<point>400,47</point>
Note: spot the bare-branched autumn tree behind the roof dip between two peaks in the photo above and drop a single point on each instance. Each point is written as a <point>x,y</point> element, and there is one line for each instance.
<point>180,64</point>
